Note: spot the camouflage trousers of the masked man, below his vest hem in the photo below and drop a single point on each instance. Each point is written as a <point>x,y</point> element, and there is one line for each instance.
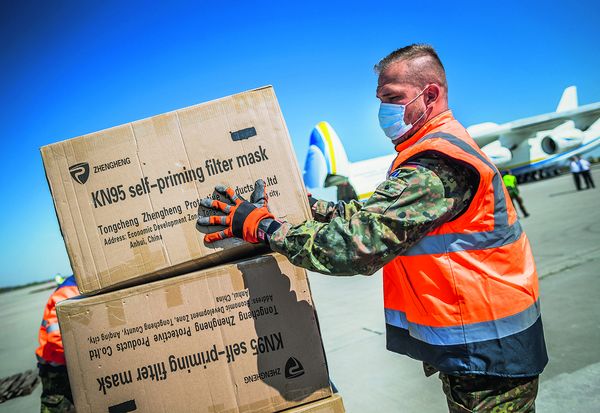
<point>473,393</point>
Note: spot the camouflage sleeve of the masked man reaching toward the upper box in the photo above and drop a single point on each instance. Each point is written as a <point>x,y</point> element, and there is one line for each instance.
<point>399,213</point>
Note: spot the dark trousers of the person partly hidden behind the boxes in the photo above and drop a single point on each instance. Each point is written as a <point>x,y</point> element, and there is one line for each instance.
<point>56,391</point>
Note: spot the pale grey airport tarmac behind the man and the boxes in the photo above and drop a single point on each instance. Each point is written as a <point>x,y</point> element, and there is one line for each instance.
<point>564,229</point>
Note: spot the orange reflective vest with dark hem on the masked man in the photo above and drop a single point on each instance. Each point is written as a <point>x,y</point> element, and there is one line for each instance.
<point>465,298</point>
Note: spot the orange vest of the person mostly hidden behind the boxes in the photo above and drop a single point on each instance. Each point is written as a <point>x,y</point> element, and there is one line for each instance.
<point>51,350</point>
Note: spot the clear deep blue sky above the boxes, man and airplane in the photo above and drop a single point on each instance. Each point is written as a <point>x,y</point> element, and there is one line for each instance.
<point>70,68</point>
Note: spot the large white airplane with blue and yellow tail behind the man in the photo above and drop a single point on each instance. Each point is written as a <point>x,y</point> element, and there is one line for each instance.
<point>532,148</point>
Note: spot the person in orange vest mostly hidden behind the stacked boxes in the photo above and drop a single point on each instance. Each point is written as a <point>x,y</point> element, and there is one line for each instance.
<point>56,390</point>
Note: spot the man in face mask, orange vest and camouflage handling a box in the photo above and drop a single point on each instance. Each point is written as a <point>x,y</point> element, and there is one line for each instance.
<point>460,284</point>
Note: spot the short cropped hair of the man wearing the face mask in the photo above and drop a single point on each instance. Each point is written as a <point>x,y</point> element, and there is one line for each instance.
<point>424,63</point>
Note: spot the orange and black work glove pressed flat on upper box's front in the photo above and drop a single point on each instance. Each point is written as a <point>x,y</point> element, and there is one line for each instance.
<point>246,220</point>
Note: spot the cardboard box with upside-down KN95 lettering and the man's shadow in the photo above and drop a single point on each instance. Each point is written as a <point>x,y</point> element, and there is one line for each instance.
<point>236,338</point>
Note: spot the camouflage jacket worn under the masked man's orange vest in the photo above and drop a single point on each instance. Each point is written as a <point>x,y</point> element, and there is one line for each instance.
<point>356,238</point>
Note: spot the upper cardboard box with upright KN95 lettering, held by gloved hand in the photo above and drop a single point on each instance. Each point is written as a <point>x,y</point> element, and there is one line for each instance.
<point>127,197</point>
